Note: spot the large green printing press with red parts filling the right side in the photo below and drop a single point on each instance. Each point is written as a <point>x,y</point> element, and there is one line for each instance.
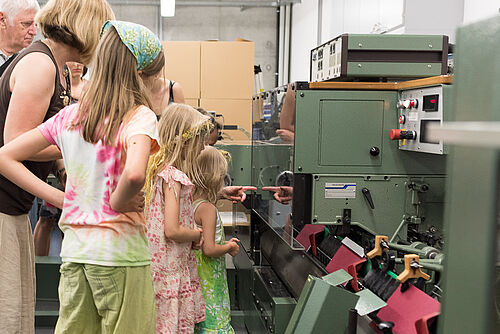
<point>358,244</point>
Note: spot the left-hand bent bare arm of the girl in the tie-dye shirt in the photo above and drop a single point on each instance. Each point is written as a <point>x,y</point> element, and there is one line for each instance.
<point>20,149</point>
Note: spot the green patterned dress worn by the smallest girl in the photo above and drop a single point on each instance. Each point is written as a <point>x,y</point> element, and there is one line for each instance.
<point>213,280</point>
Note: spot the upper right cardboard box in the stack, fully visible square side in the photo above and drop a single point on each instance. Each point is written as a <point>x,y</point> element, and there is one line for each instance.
<point>227,70</point>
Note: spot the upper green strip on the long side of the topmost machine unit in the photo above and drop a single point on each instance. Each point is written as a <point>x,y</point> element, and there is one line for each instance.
<point>395,42</point>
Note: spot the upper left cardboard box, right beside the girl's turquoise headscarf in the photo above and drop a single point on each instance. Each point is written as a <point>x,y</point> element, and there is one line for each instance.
<point>182,64</point>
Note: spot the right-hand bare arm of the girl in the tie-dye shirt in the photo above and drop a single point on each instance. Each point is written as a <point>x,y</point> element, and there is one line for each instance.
<point>134,174</point>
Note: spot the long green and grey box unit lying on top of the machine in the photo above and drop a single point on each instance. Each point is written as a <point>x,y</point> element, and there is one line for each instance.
<point>379,56</point>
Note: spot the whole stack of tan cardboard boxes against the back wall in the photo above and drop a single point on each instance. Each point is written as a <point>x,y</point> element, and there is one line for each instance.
<point>215,76</point>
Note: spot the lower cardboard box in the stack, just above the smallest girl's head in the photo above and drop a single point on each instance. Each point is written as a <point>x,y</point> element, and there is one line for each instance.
<point>236,112</point>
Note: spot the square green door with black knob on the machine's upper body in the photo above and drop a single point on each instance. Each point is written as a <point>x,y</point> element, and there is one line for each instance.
<point>334,115</point>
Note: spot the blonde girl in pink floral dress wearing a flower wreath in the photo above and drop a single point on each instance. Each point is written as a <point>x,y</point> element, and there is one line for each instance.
<point>172,233</point>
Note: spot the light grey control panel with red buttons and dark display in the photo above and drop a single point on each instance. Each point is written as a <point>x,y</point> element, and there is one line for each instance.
<point>417,110</point>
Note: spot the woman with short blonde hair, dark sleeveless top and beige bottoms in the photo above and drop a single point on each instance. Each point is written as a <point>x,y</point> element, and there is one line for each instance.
<point>32,89</point>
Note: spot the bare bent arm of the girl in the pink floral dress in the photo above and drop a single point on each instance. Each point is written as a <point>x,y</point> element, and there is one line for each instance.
<point>173,230</point>
